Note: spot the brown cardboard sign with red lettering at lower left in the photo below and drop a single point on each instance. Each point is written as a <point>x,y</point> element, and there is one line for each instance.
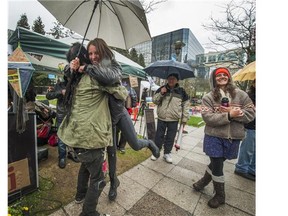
<point>18,175</point>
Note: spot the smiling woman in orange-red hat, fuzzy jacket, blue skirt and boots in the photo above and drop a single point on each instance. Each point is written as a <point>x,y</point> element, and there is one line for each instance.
<point>225,110</point>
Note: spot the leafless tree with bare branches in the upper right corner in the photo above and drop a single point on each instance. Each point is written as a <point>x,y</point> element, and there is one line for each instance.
<point>237,30</point>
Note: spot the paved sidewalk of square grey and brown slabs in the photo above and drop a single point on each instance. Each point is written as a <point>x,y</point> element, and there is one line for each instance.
<point>156,188</point>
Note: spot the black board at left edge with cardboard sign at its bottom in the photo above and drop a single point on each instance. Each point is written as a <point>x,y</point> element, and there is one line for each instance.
<point>22,158</point>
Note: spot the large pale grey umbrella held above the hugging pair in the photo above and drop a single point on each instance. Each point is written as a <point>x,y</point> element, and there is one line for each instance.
<point>121,23</point>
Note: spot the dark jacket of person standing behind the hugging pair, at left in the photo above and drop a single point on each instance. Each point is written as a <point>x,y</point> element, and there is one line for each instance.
<point>56,93</point>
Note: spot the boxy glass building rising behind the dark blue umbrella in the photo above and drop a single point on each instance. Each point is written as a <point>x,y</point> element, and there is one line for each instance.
<point>162,47</point>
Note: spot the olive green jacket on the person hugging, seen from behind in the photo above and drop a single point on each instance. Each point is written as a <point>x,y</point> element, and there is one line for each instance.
<point>90,124</point>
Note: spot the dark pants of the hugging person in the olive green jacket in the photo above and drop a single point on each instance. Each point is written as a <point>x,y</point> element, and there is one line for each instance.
<point>91,166</point>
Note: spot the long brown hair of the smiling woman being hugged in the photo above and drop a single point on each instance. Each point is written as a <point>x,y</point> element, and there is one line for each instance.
<point>102,48</point>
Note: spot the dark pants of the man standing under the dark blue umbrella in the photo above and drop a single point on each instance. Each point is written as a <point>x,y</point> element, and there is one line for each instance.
<point>167,140</point>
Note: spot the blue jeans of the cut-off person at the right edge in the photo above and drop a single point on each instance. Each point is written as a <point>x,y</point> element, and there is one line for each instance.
<point>247,154</point>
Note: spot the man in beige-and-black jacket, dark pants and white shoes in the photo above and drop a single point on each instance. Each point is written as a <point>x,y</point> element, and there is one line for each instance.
<point>172,105</point>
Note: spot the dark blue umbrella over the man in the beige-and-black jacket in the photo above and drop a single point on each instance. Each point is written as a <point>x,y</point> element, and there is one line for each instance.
<point>163,68</point>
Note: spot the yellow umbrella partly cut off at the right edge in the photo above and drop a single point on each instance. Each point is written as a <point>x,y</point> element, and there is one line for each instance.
<point>246,73</point>
